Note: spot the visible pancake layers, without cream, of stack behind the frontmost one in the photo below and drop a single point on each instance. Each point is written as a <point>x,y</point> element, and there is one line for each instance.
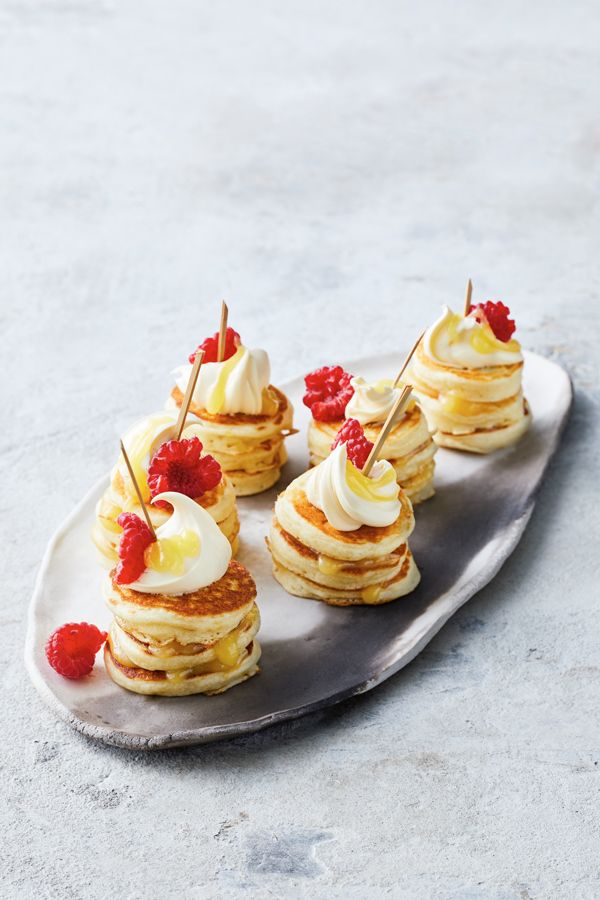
<point>106,533</point>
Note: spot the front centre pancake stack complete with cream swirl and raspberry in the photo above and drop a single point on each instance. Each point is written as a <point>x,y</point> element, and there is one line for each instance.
<point>341,536</point>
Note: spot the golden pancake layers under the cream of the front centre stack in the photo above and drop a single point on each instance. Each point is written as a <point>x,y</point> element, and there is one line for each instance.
<point>311,559</point>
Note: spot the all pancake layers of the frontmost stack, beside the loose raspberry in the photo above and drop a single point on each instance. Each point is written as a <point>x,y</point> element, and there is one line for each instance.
<point>201,642</point>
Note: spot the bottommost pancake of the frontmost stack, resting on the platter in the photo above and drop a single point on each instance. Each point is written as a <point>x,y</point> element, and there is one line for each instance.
<point>210,678</point>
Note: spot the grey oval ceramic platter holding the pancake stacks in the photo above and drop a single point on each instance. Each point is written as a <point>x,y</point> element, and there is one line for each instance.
<point>314,655</point>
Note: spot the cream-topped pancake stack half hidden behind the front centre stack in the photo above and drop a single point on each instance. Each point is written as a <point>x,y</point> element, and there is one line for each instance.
<point>408,447</point>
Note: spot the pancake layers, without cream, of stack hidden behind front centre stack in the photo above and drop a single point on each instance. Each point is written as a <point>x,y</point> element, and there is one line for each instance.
<point>409,448</point>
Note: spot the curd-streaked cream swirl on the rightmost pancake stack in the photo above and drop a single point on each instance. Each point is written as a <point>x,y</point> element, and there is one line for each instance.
<point>465,343</point>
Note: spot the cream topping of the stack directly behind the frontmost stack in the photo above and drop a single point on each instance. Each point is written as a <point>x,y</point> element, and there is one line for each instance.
<point>141,442</point>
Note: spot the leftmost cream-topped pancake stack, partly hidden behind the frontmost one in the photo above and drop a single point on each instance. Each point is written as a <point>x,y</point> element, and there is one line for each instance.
<point>142,442</point>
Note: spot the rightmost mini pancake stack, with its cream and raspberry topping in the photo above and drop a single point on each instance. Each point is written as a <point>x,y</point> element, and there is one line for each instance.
<point>468,380</point>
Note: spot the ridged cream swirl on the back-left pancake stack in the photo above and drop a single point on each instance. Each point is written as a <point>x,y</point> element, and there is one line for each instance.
<point>235,385</point>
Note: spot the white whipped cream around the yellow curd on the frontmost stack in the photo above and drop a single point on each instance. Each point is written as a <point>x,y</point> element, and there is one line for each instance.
<point>203,567</point>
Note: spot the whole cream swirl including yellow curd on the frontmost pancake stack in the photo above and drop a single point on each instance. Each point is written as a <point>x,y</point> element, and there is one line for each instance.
<point>190,552</point>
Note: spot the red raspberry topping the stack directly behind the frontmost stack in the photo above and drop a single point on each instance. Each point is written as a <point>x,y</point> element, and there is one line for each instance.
<point>180,466</point>
